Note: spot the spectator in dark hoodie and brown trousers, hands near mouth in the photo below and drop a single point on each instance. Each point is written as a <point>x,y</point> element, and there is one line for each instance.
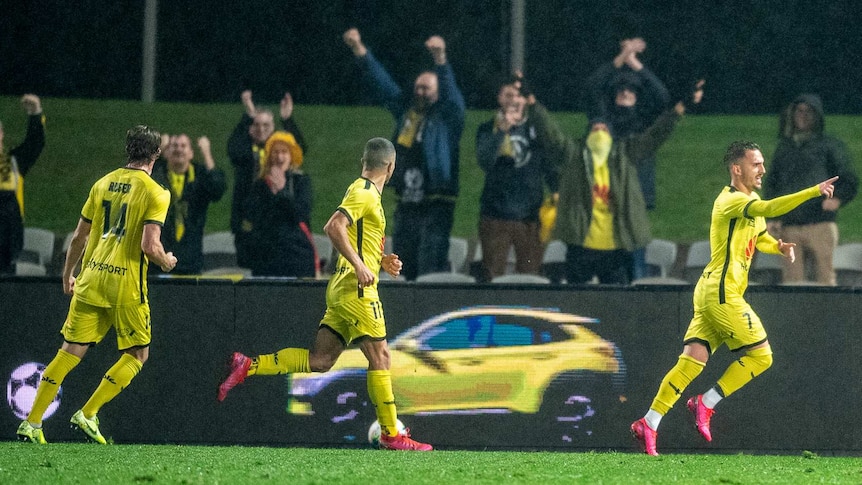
<point>517,170</point>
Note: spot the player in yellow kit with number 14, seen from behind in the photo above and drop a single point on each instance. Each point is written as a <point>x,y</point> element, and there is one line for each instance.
<point>120,226</point>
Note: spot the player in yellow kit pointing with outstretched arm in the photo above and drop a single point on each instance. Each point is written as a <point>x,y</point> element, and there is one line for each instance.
<point>721,314</point>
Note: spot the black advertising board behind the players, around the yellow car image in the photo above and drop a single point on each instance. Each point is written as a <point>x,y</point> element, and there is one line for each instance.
<point>806,401</point>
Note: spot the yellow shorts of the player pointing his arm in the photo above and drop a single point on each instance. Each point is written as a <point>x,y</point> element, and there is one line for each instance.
<point>733,323</point>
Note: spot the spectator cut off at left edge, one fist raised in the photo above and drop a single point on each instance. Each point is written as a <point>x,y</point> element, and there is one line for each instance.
<point>14,165</point>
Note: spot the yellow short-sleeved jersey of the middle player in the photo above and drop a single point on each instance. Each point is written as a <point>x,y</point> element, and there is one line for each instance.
<point>362,205</point>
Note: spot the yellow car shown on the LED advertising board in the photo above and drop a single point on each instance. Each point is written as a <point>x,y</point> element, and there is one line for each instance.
<point>474,361</point>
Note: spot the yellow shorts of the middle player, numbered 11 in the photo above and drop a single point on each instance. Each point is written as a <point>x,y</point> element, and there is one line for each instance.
<point>356,318</point>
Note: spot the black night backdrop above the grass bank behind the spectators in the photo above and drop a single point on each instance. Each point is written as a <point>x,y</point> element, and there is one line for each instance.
<point>755,55</point>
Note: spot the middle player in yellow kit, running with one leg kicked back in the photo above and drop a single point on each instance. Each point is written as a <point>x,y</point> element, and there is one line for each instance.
<point>354,312</point>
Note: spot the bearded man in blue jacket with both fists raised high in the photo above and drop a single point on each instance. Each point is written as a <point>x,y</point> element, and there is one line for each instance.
<point>429,121</point>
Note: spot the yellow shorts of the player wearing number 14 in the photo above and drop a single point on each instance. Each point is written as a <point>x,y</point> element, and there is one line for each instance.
<point>88,324</point>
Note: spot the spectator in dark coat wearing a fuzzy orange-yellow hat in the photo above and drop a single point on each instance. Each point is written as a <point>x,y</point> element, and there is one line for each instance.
<point>278,212</point>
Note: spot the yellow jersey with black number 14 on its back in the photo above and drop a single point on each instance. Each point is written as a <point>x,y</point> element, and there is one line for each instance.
<point>114,267</point>
